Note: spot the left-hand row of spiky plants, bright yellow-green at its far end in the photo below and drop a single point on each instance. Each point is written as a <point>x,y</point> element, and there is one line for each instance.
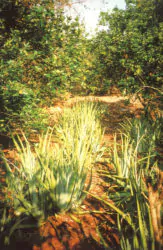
<point>49,177</point>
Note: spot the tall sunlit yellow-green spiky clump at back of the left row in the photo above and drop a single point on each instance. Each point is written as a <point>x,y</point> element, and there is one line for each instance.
<point>80,134</point>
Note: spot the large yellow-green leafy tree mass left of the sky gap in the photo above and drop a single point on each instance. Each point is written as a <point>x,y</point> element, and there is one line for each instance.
<point>43,54</point>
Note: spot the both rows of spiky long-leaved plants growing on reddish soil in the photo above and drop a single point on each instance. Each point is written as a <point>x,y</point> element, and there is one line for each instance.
<point>51,176</point>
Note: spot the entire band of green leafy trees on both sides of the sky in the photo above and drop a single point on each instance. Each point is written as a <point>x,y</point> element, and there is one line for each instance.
<point>45,53</point>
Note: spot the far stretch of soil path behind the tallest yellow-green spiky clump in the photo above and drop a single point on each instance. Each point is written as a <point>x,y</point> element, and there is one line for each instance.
<point>117,109</point>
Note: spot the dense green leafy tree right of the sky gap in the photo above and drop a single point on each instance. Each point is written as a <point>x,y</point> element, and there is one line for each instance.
<point>129,53</point>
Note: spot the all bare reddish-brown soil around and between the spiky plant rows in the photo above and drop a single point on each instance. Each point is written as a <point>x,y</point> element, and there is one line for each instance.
<point>87,229</point>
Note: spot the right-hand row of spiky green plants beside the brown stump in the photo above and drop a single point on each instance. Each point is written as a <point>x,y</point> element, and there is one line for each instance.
<point>131,168</point>
